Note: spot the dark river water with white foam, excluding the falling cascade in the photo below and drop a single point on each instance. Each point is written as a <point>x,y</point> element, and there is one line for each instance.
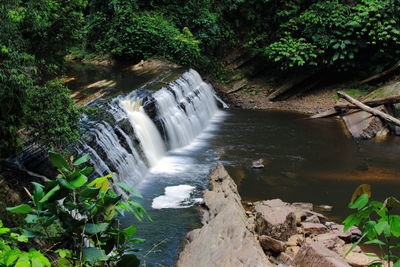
<point>305,161</point>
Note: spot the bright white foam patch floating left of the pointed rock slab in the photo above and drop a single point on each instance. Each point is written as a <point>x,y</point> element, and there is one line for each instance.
<point>174,197</point>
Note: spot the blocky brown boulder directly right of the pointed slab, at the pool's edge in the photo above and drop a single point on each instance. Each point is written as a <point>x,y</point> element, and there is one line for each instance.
<point>276,219</point>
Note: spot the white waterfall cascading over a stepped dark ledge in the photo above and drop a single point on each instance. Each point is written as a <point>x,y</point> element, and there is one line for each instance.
<point>137,130</point>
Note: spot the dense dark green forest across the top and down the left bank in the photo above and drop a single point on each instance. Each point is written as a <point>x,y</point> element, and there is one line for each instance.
<point>346,35</point>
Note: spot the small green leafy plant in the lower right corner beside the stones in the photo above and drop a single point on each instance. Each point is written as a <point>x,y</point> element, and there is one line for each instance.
<point>379,224</point>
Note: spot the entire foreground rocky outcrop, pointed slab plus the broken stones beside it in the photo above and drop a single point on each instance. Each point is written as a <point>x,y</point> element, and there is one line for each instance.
<point>271,233</point>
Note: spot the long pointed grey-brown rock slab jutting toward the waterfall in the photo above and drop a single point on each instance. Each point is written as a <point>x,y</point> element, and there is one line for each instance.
<point>224,240</point>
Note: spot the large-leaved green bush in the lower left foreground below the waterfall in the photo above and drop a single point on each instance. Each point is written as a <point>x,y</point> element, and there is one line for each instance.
<point>81,217</point>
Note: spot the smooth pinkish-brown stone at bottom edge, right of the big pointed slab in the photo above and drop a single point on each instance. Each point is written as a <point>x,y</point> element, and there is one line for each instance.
<point>316,255</point>
